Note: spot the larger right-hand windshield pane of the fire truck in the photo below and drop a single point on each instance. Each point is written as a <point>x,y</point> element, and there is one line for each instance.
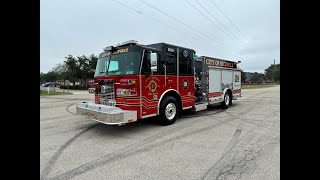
<point>125,63</point>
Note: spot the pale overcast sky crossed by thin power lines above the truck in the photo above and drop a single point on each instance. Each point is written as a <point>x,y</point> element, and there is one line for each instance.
<point>246,30</point>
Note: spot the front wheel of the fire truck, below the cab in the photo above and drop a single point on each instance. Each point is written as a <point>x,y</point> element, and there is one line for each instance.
<point>169,110</point>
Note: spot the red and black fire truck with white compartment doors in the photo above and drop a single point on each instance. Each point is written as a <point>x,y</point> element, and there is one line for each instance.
<point>134,81</point>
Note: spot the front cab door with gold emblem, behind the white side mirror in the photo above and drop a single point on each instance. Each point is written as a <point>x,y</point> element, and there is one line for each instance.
<point>157,77</point>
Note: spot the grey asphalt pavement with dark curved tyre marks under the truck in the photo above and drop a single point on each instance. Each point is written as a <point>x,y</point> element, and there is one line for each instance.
<point>242,142</point>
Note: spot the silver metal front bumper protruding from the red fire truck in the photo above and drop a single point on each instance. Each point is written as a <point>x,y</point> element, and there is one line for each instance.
<point>106,114</point>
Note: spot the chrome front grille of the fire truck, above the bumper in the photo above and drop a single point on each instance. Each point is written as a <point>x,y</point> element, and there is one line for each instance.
<point>106,92</point>
